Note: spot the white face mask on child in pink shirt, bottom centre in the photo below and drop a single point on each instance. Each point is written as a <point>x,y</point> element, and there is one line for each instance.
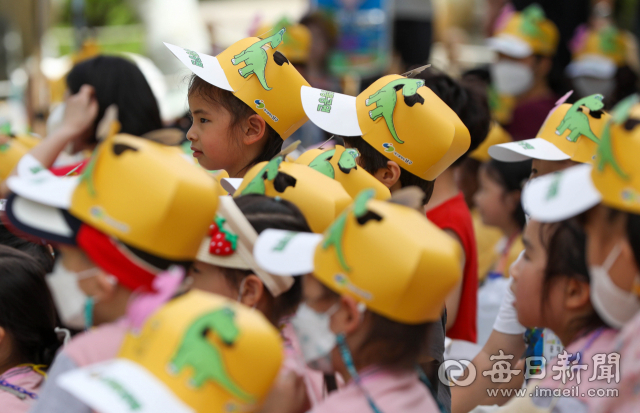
<point>315,336</point>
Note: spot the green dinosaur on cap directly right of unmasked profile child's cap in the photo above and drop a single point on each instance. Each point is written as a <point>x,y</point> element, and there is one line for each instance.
<point>386,100</point>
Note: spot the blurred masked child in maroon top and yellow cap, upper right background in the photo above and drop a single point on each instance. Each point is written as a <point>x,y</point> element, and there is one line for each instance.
<point>525,43</point>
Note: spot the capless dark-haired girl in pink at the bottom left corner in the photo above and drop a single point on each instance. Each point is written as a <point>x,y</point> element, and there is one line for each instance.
<point>28,341</point>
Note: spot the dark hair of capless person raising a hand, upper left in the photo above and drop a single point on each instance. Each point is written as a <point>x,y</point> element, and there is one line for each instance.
<point>118,81</point>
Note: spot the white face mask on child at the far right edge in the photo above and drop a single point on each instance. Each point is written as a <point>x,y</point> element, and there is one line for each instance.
<point>615,305</point>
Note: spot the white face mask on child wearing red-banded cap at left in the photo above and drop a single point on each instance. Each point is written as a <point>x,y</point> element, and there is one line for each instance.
<point>73,305</point>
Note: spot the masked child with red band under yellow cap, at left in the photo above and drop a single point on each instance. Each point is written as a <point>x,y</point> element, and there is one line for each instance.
<point>114,247</point>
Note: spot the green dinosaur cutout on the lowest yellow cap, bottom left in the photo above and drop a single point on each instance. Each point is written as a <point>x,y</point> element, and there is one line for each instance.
<point>197,351</point>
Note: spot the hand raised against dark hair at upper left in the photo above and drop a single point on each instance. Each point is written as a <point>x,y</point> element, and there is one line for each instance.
<point>80,113</point>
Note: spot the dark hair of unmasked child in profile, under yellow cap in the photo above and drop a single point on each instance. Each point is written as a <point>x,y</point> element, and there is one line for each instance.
<point>239,111</point>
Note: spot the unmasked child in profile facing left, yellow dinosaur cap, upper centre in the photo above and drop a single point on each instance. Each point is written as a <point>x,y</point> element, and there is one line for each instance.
<point>244,103</point>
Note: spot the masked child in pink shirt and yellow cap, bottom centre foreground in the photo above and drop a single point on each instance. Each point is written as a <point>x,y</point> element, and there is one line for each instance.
<point>357,320</point>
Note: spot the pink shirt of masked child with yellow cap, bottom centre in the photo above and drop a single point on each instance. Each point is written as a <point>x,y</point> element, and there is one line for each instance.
<point>391,391</point>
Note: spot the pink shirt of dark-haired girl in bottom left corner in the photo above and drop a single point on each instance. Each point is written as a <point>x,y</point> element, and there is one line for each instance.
<point>25,378</point>
